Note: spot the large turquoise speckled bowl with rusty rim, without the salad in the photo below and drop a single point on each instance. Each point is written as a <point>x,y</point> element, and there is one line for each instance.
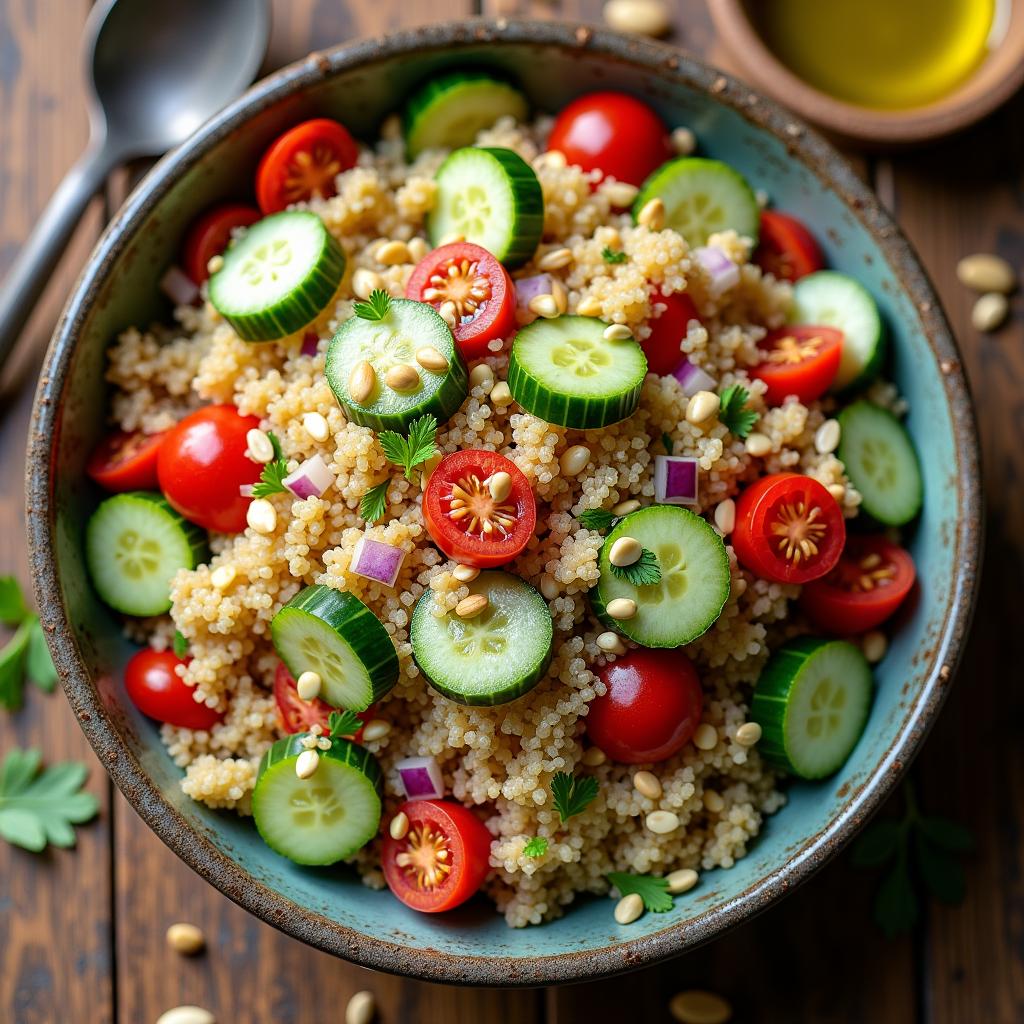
<point>360,84</point>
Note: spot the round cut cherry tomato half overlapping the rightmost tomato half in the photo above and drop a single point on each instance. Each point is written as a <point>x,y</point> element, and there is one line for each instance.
<point>789,529</point>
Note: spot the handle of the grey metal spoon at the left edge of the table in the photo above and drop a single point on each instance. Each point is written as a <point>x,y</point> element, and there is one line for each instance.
<point>40,253</point>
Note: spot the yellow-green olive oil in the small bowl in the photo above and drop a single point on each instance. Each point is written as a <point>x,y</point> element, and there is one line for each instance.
<point>882,54</point>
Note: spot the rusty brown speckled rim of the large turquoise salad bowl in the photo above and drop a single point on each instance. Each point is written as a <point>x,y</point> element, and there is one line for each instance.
<point>192,845</point>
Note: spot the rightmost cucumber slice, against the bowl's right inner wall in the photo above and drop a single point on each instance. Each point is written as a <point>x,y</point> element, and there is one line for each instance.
<point>881,460</point>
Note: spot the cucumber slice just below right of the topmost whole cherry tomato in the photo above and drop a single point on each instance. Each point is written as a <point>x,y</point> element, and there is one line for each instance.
<point>702,197</point>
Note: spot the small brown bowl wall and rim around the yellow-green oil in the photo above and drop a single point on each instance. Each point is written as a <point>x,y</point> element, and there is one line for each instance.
<point>1000,76</point>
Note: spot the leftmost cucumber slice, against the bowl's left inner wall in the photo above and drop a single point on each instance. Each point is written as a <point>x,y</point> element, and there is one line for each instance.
<point>135,544</point>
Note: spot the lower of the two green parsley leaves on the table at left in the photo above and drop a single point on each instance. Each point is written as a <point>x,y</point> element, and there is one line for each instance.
<point>37,808</point>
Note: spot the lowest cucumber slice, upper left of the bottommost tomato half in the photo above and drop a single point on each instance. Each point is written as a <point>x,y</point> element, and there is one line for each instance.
<point>324,819</point>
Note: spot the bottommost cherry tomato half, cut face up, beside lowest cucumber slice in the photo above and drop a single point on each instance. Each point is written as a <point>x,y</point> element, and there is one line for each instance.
<point>414,869</point>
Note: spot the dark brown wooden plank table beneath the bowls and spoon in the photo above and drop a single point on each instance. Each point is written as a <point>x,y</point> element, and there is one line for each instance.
<point>82,931</point>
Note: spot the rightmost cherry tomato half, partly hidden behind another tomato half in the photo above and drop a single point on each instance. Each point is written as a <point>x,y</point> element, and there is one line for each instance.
<point>869,585</point>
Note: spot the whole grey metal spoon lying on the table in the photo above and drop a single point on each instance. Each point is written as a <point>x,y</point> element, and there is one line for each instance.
<point>156,70</point>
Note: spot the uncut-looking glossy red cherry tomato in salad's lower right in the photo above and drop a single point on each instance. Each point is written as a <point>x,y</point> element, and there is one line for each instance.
<point>652,707</point>
